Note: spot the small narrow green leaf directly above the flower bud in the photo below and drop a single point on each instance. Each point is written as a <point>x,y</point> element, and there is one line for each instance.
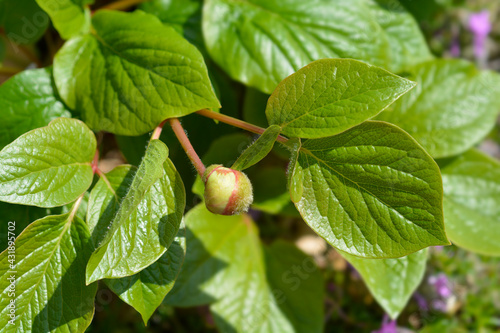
<point>258,149</point>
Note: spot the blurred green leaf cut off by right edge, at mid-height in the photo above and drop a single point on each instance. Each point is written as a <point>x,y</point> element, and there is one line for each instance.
<point>471,185</point>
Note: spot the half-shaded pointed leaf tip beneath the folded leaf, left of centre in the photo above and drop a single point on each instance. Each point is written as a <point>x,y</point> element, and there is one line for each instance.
<point>146,290</point>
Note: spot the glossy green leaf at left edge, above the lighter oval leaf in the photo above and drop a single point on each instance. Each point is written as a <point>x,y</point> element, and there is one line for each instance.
<point>28,101</point>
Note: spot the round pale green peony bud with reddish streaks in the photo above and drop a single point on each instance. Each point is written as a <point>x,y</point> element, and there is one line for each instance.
<point>227,191</point>
